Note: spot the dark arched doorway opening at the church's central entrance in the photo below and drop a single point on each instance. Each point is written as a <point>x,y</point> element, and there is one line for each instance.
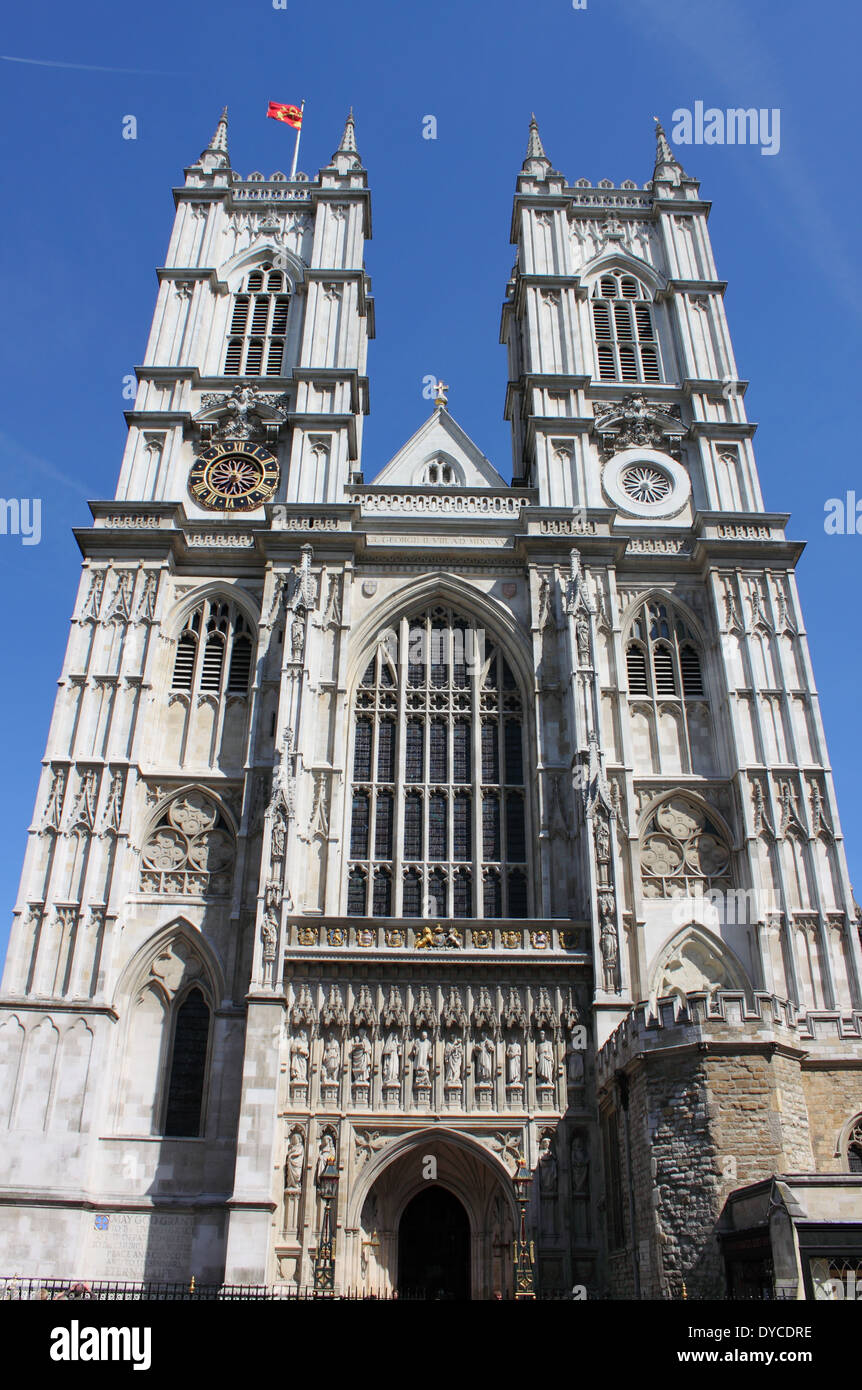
<point>434,1248</point>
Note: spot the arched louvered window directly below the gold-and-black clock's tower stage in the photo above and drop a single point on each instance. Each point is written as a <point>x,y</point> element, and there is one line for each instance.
<point>215,651</point>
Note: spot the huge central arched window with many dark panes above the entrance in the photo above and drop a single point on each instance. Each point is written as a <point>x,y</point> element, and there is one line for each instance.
<point>439,815</point>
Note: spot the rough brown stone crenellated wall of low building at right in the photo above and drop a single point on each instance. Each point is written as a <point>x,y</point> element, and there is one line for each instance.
<point>715,1096</point>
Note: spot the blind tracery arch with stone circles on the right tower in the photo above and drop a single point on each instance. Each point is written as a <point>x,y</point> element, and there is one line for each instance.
<point>683,853</point>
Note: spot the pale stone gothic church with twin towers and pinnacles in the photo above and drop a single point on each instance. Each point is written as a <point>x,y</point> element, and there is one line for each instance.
<point>414,826</point>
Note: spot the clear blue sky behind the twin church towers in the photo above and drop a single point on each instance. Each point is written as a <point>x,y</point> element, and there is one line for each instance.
<point>88,218</point>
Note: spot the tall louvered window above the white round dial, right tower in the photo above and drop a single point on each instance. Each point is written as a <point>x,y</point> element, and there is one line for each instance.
<point>626,340</point>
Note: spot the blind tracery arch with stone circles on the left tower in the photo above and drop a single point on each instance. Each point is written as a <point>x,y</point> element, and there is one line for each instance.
<point>190,850</point>
